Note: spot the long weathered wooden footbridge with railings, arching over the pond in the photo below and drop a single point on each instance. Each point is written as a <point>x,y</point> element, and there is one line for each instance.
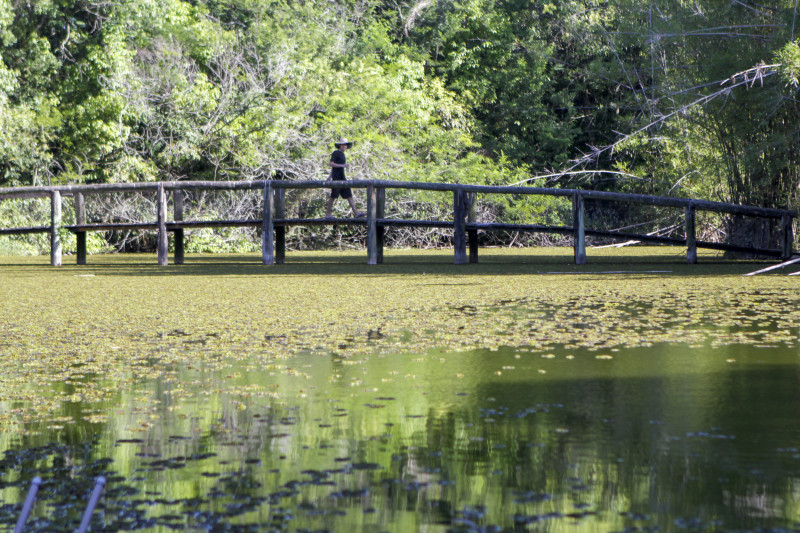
<point>463,223</point>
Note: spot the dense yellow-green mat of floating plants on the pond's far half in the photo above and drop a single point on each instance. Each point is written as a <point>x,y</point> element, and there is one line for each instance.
<point>77,335</point>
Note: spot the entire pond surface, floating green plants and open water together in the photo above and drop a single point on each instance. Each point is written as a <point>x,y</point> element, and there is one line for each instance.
<point>522,393</point>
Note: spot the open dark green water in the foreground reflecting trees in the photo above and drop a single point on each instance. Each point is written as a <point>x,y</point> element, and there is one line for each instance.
<point>667,437</point>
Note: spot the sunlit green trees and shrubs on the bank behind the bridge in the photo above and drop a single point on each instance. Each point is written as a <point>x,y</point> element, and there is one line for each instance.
<point>681,98</point>
